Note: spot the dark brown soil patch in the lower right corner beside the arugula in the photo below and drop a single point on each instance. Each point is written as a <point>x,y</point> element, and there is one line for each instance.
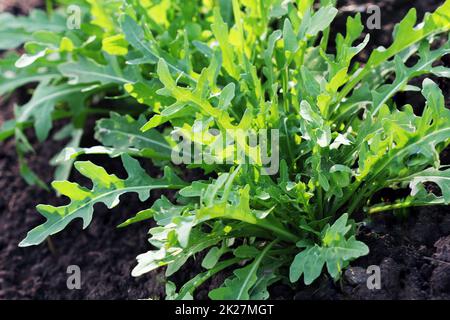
<point>412,254</point>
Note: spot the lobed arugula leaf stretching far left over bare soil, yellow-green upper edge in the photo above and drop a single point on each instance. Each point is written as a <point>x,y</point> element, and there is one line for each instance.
<point>107,189</point>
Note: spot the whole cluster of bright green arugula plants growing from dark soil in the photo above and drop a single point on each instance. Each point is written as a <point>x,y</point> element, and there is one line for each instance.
<point>232,64</point>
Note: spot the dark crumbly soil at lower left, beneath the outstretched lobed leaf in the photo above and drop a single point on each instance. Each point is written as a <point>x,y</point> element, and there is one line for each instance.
<point>104,254</point>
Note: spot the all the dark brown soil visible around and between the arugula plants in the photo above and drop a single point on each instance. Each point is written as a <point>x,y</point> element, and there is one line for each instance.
<point>413,253</point>
